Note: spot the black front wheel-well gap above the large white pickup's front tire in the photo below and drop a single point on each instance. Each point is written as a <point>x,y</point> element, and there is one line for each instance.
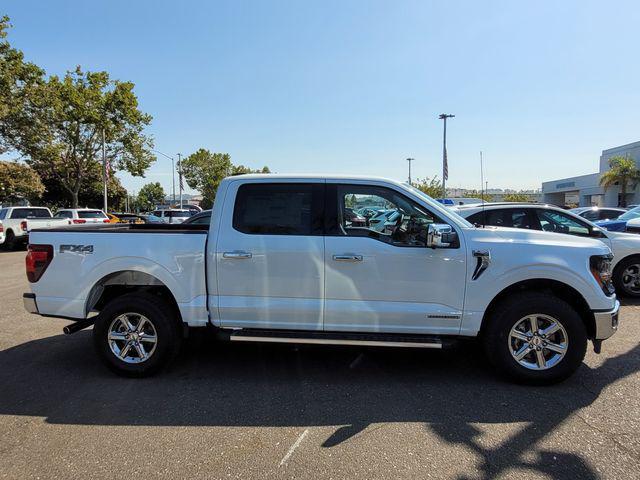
<point>554,287</point>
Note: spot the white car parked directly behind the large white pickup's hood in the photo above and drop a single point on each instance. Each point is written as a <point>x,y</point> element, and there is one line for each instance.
<point>625,246</point>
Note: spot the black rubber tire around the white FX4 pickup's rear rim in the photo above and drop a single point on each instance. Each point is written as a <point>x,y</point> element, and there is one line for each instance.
<point>162,317</point>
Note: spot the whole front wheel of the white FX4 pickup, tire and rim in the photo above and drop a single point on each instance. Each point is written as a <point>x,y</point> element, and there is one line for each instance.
<point>535,338</point>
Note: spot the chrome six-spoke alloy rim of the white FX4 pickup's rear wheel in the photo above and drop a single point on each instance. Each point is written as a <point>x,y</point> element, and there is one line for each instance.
<point>132,338</point>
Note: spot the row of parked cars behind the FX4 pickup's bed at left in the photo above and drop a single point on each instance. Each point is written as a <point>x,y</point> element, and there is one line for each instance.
<point>16,222</point>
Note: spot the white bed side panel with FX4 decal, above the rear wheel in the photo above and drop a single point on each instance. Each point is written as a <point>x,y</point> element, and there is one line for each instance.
<point>176,259</point>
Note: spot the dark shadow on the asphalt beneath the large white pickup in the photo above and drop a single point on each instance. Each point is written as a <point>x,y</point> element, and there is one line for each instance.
<point>61,379</point>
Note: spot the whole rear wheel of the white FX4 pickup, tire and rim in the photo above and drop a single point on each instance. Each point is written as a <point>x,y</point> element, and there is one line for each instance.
<point>136,335</point>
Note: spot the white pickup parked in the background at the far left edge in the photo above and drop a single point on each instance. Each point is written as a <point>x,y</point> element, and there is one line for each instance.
<point>18,221</point>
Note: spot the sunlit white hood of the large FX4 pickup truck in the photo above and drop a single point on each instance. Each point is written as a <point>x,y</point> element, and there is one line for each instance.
<point>537,237</point>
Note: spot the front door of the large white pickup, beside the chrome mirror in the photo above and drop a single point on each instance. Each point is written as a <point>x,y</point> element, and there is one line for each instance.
<point>382,278</point>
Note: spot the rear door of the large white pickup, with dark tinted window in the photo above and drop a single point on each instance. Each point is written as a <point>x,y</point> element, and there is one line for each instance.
<point>270,256</point>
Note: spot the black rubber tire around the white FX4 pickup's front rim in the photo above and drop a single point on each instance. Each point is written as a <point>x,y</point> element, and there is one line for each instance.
<point>509,312</point>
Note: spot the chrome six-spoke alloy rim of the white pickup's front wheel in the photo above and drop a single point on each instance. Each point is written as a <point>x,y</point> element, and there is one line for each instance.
<point>538,342</point>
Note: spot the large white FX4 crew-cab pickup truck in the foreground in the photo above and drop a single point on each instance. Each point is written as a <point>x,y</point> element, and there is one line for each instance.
<point>280,262</point>
